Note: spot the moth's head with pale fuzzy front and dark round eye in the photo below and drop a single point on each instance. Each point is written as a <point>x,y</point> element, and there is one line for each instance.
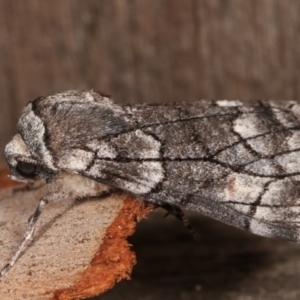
<point>22,165</point>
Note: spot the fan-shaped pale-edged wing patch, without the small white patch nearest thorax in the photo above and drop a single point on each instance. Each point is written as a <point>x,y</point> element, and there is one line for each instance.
<point>135,175</point>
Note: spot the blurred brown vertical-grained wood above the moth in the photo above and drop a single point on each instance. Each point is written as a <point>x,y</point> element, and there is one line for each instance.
<point>144,50</point>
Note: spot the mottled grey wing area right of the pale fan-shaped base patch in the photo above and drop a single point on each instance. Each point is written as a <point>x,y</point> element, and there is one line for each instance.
<point>240,165</point>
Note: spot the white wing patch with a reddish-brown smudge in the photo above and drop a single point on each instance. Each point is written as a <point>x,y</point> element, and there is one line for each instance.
<point>243,188</point>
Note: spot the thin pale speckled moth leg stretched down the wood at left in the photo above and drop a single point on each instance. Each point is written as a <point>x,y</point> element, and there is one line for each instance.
<point>28,233</point>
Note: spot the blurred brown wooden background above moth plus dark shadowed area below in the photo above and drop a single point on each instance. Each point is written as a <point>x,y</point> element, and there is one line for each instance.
<point>155,51</point>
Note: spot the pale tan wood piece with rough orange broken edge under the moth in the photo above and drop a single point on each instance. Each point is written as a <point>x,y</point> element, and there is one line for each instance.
<point>78,251</point>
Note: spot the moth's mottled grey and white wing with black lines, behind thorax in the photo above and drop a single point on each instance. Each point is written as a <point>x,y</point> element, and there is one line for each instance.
<point>238,163</point>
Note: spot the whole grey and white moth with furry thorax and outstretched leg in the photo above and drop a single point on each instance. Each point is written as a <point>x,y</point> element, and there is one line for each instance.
<point>237,162</point>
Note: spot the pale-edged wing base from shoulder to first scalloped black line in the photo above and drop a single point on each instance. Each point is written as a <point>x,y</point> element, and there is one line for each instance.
<point>129,161</point>
